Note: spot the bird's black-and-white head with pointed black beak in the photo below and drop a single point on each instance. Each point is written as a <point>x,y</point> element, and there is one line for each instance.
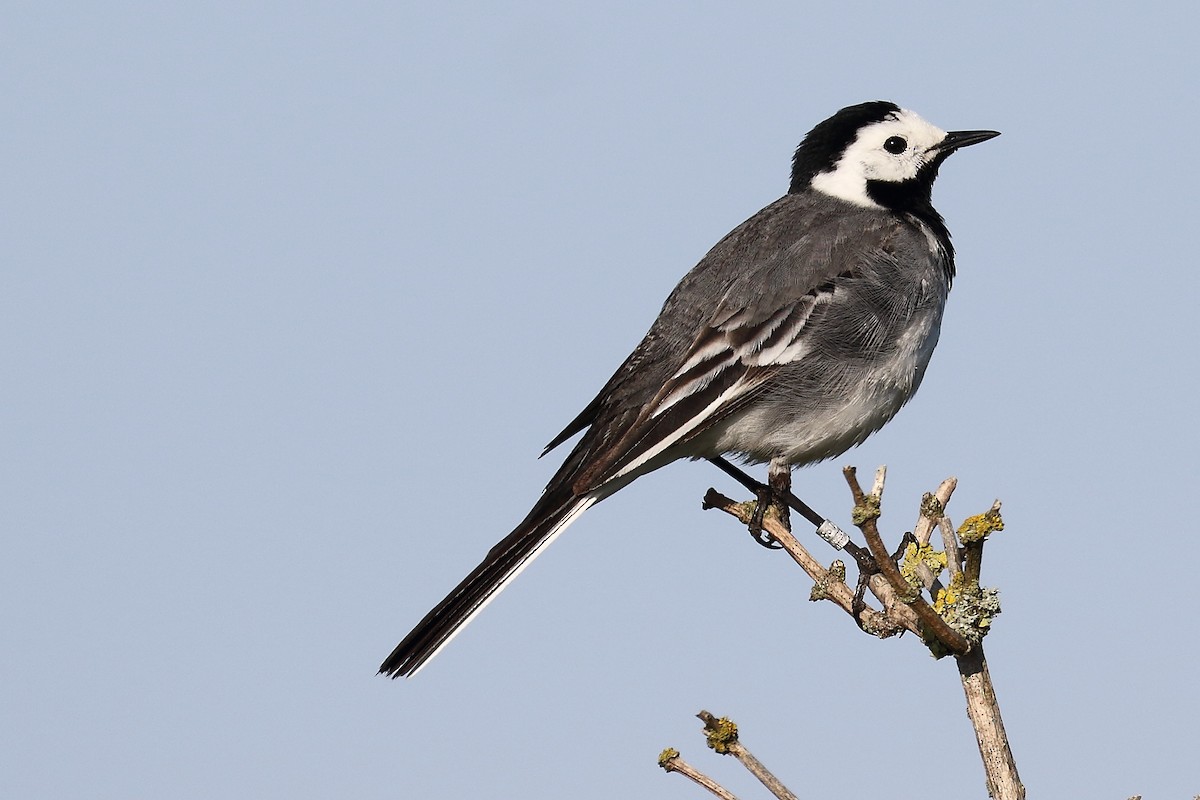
<point>877,155</point>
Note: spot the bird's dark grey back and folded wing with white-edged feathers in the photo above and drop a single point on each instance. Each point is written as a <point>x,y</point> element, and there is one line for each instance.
<point>747,310</point>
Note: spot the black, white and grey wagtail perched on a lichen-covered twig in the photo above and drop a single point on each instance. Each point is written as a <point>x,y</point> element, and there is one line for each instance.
<point>799,335</point>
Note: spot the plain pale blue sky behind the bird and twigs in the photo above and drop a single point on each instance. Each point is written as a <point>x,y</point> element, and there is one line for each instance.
<point>295,293</point>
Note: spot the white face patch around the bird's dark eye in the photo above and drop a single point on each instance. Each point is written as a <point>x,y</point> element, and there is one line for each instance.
<point>877,155</point>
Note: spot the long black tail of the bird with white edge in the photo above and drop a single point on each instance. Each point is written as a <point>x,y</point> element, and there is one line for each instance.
<point>503,563</point>
